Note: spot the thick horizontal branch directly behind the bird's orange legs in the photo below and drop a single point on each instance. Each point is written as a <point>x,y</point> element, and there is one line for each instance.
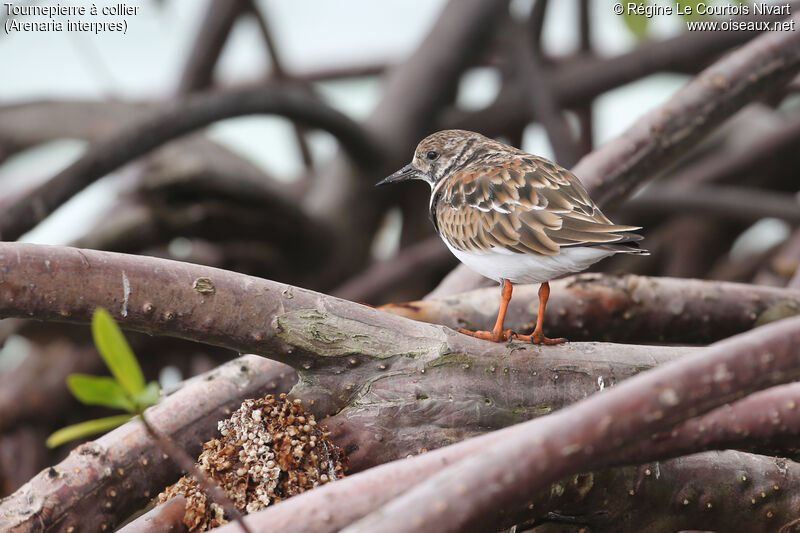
<point>619,308</point>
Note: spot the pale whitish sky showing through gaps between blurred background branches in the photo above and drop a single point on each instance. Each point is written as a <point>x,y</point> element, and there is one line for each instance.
<point>145,64</point>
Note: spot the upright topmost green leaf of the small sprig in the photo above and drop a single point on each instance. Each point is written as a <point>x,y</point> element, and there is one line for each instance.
<point>116,352</point>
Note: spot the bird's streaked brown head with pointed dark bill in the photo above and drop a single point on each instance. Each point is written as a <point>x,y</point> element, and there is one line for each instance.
<point>436,155</point>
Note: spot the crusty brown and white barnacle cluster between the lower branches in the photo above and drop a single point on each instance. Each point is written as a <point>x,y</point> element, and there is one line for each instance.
<point>269,449</point>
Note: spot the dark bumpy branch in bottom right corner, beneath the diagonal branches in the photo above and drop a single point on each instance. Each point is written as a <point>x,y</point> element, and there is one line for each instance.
<point>715,491</point>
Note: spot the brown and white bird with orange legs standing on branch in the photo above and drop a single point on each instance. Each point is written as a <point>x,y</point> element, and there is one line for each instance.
<point>512,217</point>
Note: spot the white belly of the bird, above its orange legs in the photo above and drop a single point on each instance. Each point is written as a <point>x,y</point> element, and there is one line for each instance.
<point>499,263</point>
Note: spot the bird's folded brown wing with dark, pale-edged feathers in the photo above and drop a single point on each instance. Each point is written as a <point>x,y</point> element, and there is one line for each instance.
<point>526,205</point>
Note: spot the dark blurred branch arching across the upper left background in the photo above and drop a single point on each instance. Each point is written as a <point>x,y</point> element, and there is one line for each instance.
<point>175,120</point>
